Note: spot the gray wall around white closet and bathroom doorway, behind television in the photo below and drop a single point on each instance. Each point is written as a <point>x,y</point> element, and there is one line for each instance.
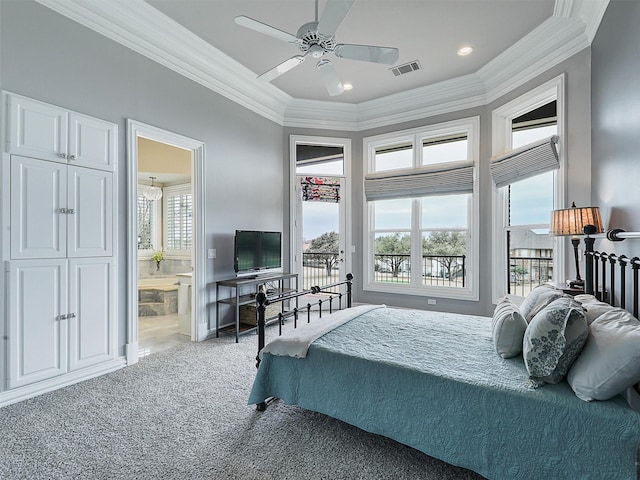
<point>50,58</point>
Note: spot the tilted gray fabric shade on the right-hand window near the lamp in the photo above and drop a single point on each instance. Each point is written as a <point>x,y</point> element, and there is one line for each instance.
<point>524,162</point>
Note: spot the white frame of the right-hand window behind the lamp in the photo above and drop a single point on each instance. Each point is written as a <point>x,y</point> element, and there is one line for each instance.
<point>501,122</point>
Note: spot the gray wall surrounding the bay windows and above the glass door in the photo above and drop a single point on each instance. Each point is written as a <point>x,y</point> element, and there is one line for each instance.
<point>577,75</point>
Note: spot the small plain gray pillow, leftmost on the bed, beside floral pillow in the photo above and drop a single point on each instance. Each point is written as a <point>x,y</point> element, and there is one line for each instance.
<point>508,326</point>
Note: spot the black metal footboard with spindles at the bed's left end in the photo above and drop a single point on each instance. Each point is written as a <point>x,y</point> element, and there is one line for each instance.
<point>262,300</point>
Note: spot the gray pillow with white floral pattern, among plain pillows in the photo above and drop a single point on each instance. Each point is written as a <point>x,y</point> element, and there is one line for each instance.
<point>553,340</point>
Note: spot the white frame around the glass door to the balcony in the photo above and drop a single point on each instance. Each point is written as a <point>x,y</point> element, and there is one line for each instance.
<point>345,143</point>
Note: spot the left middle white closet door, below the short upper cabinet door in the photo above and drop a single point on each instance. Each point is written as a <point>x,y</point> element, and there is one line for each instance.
<point>38,197</point>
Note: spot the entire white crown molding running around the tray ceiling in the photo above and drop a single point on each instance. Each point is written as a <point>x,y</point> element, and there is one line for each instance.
<point>145,30</point>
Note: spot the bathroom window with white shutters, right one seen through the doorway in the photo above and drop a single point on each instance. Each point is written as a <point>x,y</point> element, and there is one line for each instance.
<point>178,220</point>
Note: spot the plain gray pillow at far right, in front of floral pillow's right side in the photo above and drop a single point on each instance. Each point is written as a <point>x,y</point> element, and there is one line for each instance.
<point>610,361</point>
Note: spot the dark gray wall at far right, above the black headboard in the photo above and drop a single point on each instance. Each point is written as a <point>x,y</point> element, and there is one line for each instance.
<point>615,98</point>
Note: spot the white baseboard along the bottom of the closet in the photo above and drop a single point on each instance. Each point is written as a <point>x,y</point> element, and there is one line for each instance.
<point>28,391</point>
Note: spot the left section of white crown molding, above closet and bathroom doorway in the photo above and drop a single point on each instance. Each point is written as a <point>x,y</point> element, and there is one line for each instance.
<point>147,31</point>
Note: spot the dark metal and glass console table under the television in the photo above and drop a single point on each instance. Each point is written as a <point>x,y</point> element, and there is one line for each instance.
<point>243,292</point>
